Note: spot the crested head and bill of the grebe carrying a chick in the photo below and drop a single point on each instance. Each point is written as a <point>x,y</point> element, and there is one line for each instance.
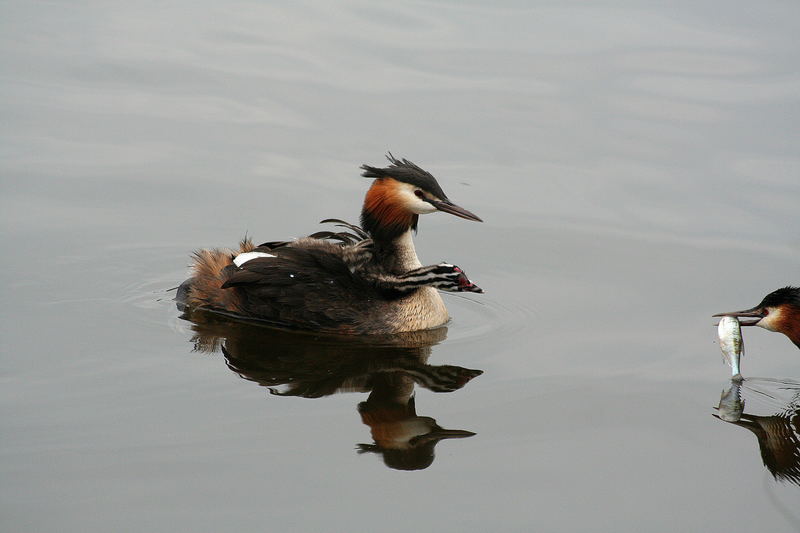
<point>400,193</point>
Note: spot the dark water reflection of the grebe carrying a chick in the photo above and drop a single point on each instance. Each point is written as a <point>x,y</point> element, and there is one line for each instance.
<point>312,366</point>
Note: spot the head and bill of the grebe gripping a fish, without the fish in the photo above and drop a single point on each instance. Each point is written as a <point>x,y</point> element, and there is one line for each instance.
<point>778,311</point>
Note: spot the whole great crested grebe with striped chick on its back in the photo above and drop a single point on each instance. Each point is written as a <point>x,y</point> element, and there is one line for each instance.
<point>365,281</point>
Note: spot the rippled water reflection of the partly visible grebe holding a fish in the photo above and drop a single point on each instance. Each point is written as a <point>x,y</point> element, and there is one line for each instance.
<point>774,418</point>
